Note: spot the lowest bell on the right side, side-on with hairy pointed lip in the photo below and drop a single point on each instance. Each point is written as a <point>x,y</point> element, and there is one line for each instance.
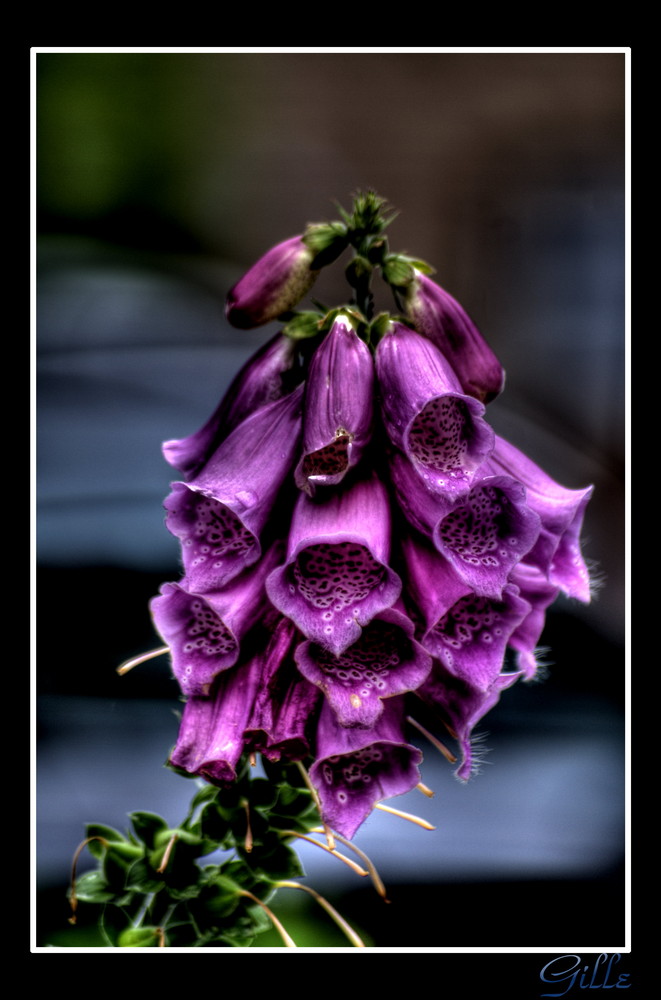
<point>461,705</point>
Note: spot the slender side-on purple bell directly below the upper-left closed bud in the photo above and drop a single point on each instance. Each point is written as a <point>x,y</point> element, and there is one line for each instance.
<point>263,379</point>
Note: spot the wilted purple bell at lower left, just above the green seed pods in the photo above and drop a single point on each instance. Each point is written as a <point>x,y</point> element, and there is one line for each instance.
<point>210,740</point>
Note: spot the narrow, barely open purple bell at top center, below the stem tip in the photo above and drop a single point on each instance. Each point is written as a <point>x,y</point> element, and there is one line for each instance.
<point>337,416</point>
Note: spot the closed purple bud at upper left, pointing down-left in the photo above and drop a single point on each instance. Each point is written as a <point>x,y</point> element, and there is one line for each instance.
<point>272,286</point>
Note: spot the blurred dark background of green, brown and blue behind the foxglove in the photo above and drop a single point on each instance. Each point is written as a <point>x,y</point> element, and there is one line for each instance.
<point>160,179</point>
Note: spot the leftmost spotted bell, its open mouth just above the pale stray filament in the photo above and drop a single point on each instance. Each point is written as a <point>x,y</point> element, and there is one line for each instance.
<point>204,632</point>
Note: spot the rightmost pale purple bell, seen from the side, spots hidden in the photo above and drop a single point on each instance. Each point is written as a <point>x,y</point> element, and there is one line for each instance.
<point>558,549</point>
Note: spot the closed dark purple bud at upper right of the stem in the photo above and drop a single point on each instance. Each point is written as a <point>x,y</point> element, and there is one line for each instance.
<point>441,319</point>
